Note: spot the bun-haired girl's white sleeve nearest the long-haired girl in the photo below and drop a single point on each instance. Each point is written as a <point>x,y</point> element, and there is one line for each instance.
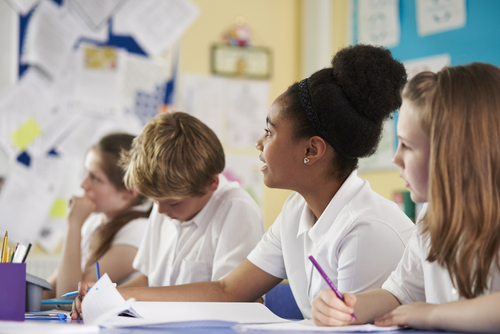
<point>367,255</point>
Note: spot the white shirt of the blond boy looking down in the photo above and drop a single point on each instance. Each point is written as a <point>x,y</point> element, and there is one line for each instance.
<point>206,248</point>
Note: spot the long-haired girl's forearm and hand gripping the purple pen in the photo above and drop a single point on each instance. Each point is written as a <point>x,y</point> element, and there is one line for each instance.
<point>329,310</point>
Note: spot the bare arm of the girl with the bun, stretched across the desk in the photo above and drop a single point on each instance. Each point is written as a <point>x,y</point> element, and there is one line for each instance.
<point>245,284</point>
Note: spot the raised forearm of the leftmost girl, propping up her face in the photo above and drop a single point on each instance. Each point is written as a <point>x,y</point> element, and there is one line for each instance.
<point>70,272</point>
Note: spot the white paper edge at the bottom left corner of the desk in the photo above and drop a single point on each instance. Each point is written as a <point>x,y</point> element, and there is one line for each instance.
<point>43,327</point>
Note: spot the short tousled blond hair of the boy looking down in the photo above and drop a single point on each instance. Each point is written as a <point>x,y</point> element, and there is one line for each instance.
<point>176,156</point>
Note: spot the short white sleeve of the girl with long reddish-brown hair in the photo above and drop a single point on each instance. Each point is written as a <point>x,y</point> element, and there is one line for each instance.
<point>407,282</point>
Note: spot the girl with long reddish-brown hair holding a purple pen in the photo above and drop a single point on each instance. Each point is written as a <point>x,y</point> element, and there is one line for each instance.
<point>448,131</point>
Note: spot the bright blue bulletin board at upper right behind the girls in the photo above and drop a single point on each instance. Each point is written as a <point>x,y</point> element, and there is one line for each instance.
<point>476,41</point>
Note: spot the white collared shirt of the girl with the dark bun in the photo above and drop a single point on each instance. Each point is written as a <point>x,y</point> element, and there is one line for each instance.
<point>358,240</point>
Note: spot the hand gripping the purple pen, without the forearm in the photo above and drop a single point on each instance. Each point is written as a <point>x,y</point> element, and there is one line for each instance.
<point>329,310</point>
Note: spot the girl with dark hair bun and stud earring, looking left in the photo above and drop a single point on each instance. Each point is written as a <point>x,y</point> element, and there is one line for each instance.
<point>315,134</point>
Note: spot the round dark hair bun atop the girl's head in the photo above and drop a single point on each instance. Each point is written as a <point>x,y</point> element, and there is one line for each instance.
<point>371,79</point>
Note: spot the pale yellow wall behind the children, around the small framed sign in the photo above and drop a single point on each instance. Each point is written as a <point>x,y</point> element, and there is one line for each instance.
<point>275,24</point>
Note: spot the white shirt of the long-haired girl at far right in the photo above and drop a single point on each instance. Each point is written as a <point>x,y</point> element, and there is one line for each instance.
<point>418,280</point>
